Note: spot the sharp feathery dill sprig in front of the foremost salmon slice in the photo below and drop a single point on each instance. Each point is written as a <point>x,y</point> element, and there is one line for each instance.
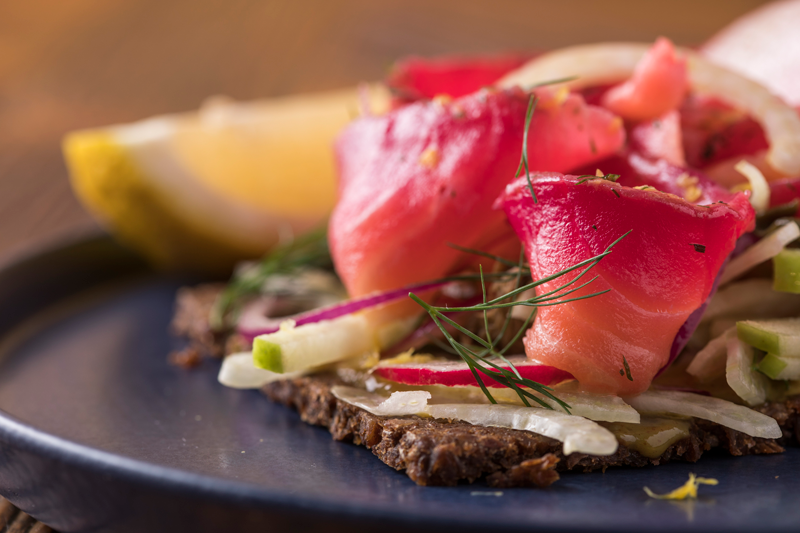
<point>478,360</point>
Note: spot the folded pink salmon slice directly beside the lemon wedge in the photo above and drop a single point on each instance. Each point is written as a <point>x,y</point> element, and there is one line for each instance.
<point>427,174</point>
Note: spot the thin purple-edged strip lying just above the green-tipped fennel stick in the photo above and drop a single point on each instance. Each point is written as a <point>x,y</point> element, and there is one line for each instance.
<point>253,324</point>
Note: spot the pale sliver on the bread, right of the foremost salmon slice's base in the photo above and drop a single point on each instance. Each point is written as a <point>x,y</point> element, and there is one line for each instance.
<point>722,412</point>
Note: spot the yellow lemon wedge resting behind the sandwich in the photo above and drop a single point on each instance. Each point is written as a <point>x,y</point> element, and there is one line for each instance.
<point>200,191</point>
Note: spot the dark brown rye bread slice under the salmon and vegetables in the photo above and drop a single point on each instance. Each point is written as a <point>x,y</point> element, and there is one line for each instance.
<point>446,452</point>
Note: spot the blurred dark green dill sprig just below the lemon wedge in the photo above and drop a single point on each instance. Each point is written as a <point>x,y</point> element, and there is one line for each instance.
<point>308,250</point>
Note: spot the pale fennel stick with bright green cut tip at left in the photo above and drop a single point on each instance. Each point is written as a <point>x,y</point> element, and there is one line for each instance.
<point>295,349</point>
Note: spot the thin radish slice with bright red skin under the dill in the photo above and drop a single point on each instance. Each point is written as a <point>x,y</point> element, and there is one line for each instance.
<point>457,373</point>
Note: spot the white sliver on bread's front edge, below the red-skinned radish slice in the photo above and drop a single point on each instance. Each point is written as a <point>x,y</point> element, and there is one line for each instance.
<point>577,433</point>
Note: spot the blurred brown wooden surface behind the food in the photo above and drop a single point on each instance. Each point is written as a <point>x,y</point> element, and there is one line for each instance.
<point>75,64</point>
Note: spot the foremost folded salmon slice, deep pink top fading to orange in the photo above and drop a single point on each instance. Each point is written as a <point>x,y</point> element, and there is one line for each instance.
<point>656,276</point>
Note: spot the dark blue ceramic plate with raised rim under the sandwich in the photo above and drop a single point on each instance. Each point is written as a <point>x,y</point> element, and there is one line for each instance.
<point>99,433</point>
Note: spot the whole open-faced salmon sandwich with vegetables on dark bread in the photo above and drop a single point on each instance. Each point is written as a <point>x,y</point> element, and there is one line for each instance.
<point>539,263</point>
